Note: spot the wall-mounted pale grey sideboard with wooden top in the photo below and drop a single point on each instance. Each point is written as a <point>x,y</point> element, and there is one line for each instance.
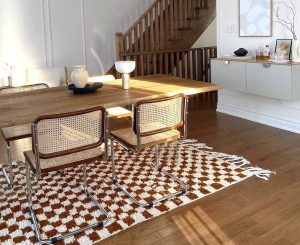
<point>259,77</point>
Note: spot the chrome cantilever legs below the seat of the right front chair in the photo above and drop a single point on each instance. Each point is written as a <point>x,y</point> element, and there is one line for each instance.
<point>149,204</point>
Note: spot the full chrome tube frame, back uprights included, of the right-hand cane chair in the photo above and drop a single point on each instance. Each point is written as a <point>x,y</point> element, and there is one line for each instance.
<point>136,110</point>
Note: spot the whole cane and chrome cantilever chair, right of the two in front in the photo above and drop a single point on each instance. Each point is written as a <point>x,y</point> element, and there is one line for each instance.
<point>154,122</point>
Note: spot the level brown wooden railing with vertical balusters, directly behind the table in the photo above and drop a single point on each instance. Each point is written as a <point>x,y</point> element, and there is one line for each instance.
<point>187,63</point>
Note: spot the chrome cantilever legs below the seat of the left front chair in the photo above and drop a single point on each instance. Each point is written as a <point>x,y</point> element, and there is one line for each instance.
<point>56,239</point>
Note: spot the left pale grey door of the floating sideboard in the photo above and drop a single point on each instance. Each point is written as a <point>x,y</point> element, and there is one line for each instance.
<point>230,76</point>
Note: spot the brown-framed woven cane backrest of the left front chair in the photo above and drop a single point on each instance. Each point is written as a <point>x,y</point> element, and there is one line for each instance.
<point>63,134</point>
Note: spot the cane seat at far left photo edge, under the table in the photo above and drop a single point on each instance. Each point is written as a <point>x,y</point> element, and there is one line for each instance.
<point>16,132</point>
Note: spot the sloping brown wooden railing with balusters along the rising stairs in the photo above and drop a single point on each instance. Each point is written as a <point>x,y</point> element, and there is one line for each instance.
<point>159,25</point>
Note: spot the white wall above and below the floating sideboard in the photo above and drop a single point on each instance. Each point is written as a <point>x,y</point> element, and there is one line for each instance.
<point>277,113</point>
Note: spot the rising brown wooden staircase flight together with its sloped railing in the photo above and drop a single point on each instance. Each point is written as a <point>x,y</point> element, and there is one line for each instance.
<point>168,25</point>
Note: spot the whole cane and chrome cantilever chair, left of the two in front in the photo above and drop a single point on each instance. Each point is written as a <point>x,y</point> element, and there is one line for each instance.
<point>64,141</point>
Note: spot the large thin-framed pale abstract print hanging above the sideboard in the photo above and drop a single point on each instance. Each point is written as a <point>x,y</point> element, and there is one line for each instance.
<point>255,18</point>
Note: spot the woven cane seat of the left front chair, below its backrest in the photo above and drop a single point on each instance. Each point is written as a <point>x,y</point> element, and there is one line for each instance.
<point>57,163</point>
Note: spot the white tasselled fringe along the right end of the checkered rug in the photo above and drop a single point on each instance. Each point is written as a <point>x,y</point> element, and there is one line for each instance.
<point>237,160</point>
